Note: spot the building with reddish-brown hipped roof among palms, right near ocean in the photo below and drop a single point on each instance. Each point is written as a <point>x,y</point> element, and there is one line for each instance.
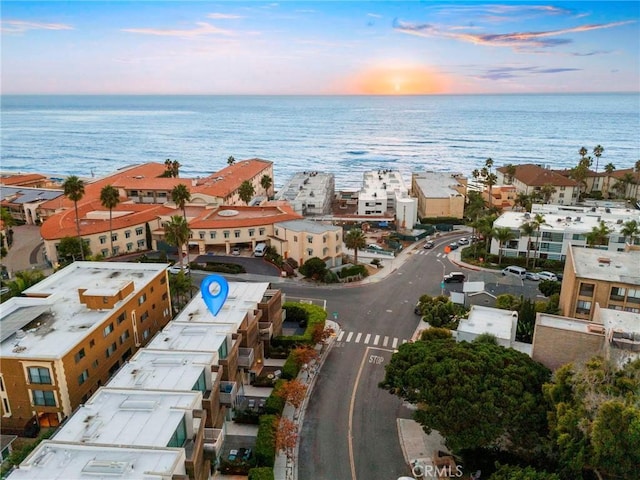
<point>530,180</point>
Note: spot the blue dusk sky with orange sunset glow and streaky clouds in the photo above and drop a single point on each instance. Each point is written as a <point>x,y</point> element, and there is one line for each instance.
<point>308,47</point>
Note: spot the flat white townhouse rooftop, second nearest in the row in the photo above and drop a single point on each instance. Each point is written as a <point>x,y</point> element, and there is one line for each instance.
<point>129,417</point>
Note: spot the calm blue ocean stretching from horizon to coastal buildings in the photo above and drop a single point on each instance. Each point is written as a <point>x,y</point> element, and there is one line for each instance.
<point>345,135</point>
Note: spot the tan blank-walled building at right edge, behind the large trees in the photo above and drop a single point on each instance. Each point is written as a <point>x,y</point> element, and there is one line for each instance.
<point>613,334</point>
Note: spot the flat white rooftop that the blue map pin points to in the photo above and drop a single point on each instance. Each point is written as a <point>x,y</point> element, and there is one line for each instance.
<point>243,297</point>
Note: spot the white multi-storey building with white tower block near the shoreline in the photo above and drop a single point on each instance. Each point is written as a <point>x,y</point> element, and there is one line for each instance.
<point>384,195</point>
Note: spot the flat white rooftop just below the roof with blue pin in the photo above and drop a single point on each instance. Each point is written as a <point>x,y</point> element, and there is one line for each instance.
<point>201,337</point>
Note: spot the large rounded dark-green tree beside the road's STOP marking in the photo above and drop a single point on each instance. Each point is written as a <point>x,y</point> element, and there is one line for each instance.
<point>477,395</point>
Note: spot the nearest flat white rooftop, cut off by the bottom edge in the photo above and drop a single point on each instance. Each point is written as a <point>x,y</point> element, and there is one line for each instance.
<point>53,460</point>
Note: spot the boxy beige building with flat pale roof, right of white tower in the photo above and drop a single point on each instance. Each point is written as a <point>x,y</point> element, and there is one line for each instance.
<point>439,194</point>
